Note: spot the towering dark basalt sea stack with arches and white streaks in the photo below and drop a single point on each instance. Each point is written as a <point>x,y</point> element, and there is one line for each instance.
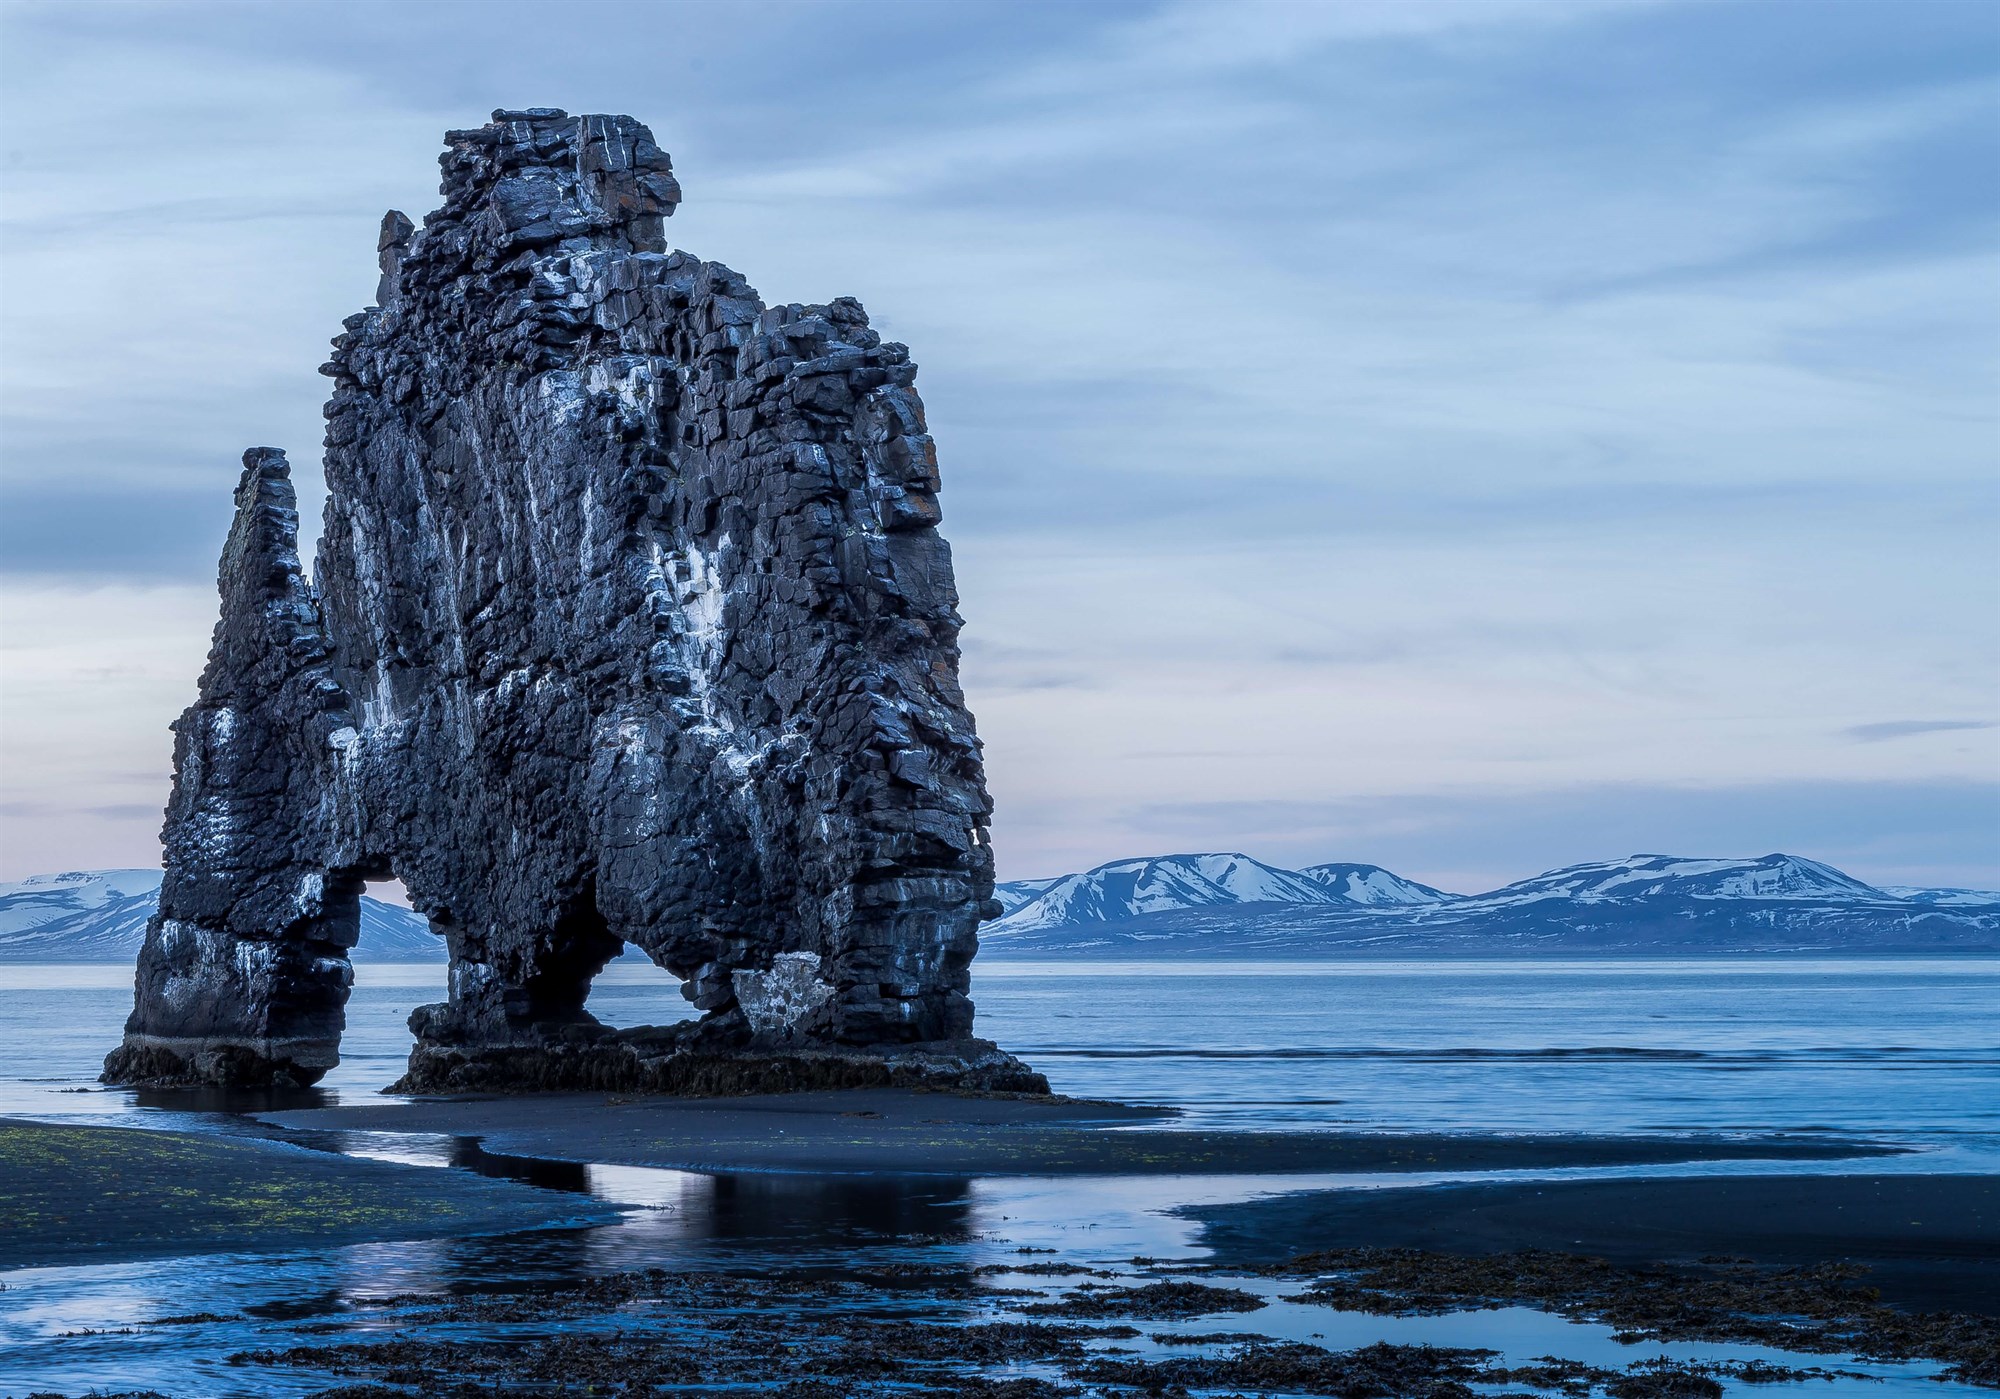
<point>631,625</point>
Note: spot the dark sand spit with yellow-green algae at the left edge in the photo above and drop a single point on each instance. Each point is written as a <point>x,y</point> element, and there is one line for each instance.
<point>75,1196</point>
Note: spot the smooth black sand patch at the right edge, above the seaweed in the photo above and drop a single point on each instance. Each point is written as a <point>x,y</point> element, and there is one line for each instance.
<point>1929,1242</point>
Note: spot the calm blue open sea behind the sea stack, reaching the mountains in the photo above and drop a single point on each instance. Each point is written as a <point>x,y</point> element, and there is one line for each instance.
<point>1899,1050</point>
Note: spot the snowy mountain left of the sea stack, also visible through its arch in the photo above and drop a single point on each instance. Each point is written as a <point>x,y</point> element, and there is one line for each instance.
<point>101,916</point>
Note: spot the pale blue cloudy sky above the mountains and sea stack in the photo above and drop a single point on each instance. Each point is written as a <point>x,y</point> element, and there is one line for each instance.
<point>1463,437</point>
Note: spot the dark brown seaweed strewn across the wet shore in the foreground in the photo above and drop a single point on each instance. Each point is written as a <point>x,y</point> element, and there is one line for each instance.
<point>927,1332</point>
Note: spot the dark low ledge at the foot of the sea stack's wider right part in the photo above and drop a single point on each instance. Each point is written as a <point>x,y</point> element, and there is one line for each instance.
<point>653,1060</point>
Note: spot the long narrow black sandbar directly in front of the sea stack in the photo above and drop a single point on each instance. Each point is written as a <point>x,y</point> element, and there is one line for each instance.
<point>935,1134</point>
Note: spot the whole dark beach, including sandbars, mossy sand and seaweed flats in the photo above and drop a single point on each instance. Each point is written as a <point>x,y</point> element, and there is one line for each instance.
<point>947,1328</point>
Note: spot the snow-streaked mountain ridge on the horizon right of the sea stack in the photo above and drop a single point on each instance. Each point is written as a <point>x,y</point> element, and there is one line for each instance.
<point>1239,906</point>
